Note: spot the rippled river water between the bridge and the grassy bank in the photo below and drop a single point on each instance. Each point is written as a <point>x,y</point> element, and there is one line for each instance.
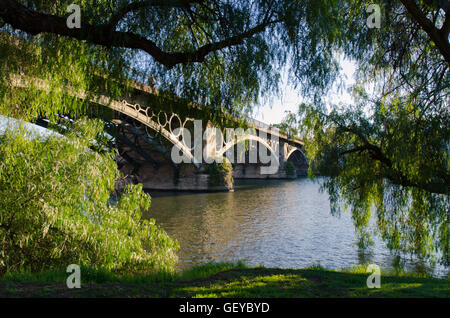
<point>274,223</point>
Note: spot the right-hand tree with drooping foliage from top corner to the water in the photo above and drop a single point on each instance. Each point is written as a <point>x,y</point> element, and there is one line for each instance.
<point>390,151</point>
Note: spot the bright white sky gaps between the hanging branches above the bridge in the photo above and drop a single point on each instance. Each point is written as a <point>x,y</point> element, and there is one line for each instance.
<point>274,111</point>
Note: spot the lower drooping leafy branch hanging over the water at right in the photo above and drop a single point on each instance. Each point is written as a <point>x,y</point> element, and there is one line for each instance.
<point>399,174</point>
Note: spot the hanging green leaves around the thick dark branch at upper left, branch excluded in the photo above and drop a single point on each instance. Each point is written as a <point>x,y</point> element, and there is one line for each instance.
<point>301,33</point>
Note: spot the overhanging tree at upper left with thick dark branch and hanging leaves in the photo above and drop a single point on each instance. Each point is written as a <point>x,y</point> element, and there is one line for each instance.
<point>222,54</point>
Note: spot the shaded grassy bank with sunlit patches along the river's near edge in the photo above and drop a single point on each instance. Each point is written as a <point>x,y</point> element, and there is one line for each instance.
<point>223,280</point>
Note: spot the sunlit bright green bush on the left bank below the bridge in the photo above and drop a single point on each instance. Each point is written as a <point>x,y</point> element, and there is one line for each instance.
<point>56,209</point>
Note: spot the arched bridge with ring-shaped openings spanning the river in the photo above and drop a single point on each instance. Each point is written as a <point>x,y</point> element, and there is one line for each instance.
<point>158,146</point>
